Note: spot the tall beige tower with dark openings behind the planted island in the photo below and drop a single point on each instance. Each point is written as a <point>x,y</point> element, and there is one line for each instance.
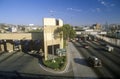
<point>51,43</point>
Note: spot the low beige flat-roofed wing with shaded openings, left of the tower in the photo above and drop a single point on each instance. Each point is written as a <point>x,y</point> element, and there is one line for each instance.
<point>12,41</point>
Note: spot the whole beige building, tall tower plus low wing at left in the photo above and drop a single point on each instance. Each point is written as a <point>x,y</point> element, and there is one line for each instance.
<point>49,39</point>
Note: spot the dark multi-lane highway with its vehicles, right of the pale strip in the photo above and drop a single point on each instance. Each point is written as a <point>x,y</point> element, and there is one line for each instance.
<point>101,57</point>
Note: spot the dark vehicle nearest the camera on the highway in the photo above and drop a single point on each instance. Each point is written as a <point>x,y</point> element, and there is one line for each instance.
<point>94,61</point>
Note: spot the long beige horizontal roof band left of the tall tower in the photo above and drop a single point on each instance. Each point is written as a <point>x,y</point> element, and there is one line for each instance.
<point>21,36</point>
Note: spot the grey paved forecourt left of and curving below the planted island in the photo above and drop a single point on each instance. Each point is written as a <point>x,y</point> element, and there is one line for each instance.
<point>22,65</point>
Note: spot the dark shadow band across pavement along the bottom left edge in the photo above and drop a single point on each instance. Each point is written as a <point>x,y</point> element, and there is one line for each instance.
<point>19,75</point>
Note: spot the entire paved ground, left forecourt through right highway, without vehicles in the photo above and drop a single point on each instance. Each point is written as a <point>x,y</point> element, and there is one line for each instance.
<point>23,65</point>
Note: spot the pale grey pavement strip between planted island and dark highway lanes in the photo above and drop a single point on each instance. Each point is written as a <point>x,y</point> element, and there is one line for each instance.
<point>80,67</point>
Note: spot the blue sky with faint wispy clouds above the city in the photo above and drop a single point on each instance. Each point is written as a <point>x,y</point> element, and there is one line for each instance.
<point>73,12</point>
